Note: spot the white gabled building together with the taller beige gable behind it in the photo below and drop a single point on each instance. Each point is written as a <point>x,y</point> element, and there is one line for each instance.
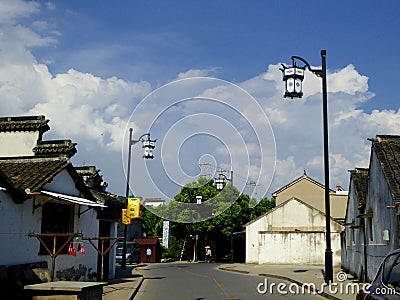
<point>294,232</point>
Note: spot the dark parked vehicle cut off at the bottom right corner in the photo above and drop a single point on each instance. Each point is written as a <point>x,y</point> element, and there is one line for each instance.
<point>386,284</point>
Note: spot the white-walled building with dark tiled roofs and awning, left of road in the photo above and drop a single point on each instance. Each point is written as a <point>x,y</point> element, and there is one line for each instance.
<point>45,201</point>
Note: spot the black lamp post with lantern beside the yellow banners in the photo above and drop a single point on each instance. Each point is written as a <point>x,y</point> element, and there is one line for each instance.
<point>148,146</point>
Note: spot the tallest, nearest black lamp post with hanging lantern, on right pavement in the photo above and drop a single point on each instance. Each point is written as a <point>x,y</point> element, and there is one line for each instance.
<point>293,76</point>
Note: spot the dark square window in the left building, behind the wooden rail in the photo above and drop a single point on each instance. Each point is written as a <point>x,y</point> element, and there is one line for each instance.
<point>56,218</point>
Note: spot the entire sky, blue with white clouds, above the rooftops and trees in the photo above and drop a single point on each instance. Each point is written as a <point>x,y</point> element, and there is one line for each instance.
<point>203,78</point>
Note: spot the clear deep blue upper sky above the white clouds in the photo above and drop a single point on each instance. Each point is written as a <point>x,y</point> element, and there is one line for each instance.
<point>153,40</point>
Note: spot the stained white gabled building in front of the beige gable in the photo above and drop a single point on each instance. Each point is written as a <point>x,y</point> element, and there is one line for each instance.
<point>291,233</point>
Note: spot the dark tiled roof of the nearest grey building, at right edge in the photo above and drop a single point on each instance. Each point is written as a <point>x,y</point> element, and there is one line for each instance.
<point>387,149</point>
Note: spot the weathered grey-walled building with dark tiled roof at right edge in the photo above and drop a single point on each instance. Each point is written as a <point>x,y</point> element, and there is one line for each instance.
<point>372,229</point>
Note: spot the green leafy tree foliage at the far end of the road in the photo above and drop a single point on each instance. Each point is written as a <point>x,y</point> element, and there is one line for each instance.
<point>220,215</point>
